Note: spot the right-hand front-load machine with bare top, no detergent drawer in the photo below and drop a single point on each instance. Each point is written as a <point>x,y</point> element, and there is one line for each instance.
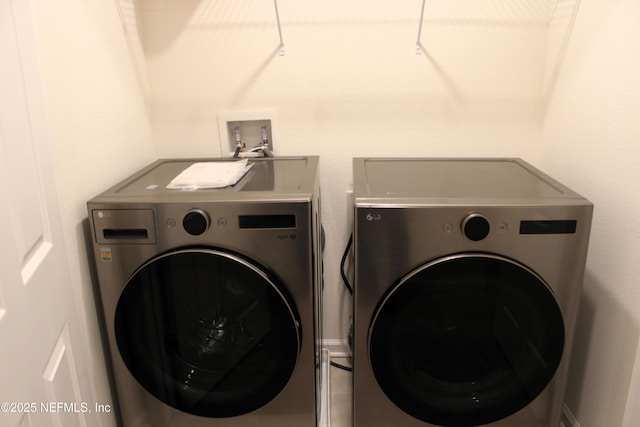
<point>467,279</point>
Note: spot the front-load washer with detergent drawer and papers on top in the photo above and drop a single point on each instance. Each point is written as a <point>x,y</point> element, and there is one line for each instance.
<point>211,297</point>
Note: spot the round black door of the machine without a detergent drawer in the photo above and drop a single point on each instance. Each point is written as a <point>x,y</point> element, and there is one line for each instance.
<point>466,340</point>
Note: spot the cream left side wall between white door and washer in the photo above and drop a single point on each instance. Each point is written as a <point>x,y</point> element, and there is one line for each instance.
<point>101,131</point>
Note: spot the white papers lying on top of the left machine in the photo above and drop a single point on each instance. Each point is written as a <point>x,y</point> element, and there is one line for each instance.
<point>210,175</point>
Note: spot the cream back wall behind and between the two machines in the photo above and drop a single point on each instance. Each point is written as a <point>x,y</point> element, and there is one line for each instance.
<point>350,84</point>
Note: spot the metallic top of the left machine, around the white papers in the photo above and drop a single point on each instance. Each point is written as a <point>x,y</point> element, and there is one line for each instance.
<point>278,178</point>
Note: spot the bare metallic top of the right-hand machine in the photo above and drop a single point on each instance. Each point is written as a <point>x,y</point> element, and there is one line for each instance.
<point>405,181</point>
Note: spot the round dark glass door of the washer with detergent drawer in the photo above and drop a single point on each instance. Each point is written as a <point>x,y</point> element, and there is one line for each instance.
<point>207,332</point>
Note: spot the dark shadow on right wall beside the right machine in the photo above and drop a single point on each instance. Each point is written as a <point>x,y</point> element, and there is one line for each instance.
<point>606,337</point>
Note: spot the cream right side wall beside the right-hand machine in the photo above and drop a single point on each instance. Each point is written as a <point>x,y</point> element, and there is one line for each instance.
<point>591,141</point>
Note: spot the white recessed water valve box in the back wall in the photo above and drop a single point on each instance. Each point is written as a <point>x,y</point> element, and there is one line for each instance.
<point>247,127</point>
